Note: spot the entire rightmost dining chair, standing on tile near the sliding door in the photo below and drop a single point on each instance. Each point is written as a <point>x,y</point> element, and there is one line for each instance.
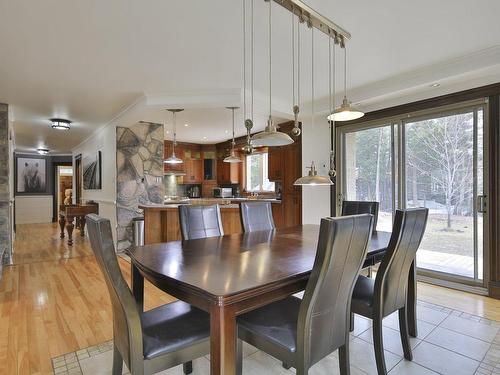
<point>387,293</point>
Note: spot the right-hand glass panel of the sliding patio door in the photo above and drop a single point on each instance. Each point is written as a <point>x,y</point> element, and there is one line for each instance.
<point>444,172</point>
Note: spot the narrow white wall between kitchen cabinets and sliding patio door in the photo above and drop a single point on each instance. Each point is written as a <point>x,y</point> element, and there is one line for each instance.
<point>315,147</point>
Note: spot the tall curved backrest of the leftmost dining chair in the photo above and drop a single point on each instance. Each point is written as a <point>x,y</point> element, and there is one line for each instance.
<point>127,328</point>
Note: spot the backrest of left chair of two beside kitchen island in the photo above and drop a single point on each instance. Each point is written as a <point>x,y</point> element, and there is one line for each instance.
<point>200,221</point>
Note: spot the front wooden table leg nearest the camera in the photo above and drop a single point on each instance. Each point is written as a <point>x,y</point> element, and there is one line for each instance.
<point>222,341</point>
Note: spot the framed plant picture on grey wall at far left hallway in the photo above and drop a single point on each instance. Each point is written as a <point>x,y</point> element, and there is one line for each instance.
<point>31,175</point>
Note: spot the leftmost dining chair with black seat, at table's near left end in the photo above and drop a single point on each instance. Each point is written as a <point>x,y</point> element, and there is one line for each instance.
<point>149,341</point>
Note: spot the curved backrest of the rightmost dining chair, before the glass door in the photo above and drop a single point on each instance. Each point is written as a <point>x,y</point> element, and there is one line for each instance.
<point>391,282</point>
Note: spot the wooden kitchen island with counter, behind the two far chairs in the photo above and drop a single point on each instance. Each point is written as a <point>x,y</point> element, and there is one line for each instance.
<point>161,221</point>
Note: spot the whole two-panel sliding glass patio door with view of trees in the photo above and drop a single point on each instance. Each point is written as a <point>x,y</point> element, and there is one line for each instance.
<point>432,160</point>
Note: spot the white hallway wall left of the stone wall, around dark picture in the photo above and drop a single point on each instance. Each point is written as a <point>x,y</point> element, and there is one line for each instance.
<point>103,140</point>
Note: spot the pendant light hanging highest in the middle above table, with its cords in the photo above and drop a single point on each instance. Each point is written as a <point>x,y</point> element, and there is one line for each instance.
<point>271,137</point>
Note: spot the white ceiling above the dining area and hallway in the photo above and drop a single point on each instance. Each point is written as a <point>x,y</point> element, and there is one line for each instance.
<point>121,60</point>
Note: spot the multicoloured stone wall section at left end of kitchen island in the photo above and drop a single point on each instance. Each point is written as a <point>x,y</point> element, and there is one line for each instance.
<point>139,166</point>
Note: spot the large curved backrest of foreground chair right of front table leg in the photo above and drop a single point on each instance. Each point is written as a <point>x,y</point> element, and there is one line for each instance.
<point>324,315</point>
